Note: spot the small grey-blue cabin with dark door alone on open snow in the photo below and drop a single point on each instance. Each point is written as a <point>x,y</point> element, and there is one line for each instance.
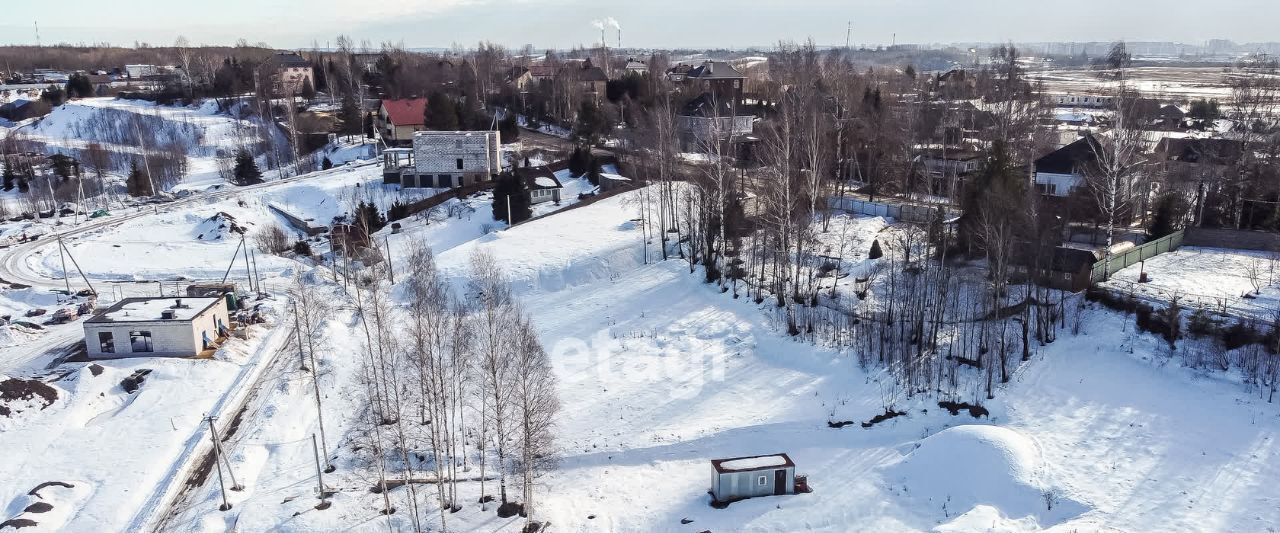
<point>742,479</point>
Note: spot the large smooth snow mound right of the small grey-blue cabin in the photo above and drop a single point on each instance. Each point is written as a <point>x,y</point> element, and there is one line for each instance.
<point>975,472</point>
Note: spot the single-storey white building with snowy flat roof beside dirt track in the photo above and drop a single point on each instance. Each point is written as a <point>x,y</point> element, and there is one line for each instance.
<point>158,327</point>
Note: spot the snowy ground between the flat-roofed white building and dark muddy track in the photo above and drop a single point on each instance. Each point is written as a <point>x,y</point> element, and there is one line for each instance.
<point>120,450</point>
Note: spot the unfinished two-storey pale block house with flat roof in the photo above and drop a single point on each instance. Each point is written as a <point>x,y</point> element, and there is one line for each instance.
<point>445,160</point>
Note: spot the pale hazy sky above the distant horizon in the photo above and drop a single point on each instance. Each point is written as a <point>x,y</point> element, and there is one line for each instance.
<point>646,24</point>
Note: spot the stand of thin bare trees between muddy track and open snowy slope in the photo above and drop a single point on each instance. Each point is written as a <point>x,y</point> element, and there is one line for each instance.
<point>458,390</point>
